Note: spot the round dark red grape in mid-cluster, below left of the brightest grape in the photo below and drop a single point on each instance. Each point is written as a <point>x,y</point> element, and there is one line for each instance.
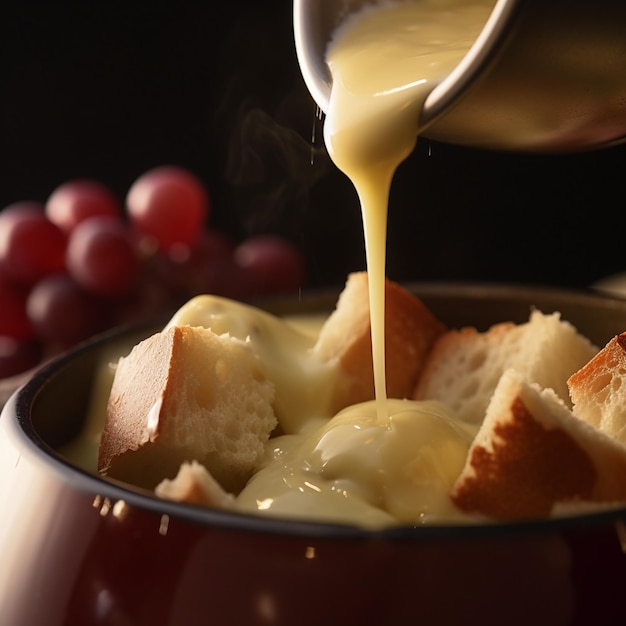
<point>102,258</point>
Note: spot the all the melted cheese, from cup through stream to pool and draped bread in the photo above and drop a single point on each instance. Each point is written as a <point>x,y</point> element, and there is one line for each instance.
<point>387,461</point>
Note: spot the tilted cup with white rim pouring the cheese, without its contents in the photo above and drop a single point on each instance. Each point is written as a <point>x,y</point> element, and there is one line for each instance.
<point>543,76</point>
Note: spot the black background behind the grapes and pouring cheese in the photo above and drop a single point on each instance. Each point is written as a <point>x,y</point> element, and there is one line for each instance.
<point>109,90</point>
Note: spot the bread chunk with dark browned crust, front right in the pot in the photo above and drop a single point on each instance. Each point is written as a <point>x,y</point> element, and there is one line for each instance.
<point>531,453</point>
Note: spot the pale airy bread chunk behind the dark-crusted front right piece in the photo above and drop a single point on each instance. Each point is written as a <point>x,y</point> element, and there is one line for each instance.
<point>465,365</point>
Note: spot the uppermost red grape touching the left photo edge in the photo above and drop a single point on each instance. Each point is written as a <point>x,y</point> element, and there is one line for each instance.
<point>31,246</point>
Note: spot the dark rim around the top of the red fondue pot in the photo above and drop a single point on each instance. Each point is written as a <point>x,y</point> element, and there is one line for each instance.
<point>18,414</point>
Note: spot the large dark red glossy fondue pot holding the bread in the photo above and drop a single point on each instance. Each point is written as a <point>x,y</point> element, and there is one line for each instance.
<point>80,549</point>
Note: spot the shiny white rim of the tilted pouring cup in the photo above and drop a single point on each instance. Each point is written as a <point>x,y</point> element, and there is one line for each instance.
<point>310,50</point>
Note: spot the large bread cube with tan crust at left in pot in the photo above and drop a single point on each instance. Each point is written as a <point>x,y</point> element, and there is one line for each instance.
<point>186,394</point>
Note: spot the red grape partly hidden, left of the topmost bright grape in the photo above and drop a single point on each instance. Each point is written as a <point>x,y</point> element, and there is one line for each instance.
<point>76,200</point>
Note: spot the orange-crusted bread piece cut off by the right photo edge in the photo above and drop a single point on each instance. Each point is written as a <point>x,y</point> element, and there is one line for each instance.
<point>598,389</point>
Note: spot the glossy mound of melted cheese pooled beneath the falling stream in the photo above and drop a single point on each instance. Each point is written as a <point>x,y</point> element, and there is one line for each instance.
<point>353,469</point>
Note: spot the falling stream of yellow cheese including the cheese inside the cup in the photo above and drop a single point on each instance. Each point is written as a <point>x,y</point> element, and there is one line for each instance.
<point>385,61</point>
